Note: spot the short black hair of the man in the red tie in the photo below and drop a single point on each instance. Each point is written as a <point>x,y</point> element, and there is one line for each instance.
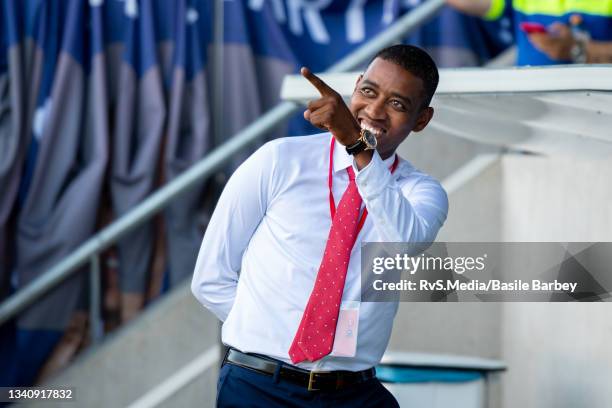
<point>417,62</point>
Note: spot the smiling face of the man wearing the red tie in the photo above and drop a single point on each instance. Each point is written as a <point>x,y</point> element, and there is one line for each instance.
<point>388,100</point>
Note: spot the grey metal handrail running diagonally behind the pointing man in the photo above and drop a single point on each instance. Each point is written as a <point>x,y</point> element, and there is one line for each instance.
<point>90,250</point>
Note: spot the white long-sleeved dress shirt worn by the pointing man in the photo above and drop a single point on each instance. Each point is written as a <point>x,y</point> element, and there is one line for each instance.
<point>261,252</point>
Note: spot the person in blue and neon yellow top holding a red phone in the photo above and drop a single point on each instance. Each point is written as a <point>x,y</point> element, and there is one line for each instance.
<point>574,31</point>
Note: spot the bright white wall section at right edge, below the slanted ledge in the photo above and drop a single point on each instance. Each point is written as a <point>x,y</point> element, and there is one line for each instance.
<point>559,354</point>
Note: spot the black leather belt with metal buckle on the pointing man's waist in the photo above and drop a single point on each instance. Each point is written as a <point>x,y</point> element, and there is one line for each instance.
<point>312,380</point>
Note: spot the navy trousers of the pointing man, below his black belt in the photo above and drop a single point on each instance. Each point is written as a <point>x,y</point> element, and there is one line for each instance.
<point>243,387</point>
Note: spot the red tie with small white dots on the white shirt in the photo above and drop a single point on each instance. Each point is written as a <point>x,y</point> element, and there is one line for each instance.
<point>315,335</point>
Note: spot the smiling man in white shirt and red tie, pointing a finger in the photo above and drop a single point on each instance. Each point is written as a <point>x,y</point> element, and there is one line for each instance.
<point>284,278</point>
